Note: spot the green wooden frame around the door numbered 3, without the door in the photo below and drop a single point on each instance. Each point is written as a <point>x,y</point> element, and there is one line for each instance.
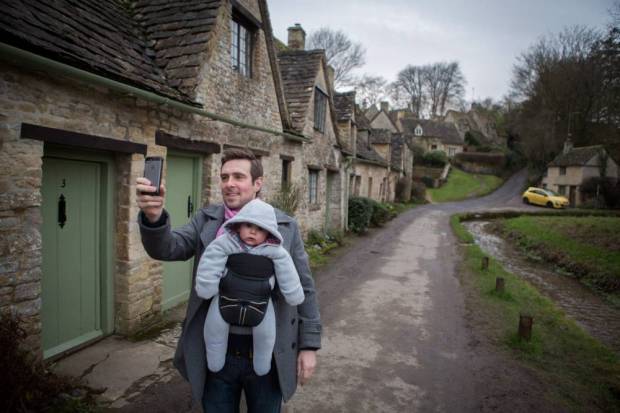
<point>108,233</point>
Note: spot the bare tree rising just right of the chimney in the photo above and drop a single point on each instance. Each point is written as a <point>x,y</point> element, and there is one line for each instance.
<point>342,53</point>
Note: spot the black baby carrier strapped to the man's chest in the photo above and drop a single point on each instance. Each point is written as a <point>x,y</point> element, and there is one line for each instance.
<point>245,290</point>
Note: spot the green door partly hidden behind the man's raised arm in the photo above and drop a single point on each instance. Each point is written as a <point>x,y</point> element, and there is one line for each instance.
<point>182,195</point>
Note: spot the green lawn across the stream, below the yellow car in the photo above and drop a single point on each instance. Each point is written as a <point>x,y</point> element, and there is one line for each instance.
<point>588,247</point>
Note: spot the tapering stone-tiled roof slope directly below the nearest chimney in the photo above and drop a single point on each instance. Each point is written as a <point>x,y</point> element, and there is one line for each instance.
<point>299,69</point>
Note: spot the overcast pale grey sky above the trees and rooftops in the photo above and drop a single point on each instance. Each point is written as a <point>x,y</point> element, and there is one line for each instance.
<point>484,36</point>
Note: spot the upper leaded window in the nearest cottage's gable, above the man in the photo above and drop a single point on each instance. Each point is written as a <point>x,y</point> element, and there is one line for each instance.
<point>243,29</point>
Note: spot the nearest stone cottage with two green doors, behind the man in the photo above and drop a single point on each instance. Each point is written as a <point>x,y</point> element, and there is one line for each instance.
<point>87,90</point>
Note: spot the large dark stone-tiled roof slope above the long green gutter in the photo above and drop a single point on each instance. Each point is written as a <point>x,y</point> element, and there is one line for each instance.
<point>153,44</point>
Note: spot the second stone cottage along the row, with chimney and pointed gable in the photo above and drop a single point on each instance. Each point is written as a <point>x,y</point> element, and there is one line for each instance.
<point>309,92</point>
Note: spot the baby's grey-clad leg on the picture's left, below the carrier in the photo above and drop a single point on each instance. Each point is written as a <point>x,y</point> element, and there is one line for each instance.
<point>216,337</point>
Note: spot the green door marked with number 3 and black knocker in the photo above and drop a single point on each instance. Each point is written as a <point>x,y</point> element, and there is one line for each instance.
<point>71,282</point>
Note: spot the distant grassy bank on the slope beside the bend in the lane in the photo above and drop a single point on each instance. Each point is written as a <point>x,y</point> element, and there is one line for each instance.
<point>462,185</point>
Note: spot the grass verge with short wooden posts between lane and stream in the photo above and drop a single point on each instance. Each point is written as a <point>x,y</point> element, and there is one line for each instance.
<point>580,372</point>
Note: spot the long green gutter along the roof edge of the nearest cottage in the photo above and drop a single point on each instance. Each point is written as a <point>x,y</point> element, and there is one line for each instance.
<point>22,57</point>
